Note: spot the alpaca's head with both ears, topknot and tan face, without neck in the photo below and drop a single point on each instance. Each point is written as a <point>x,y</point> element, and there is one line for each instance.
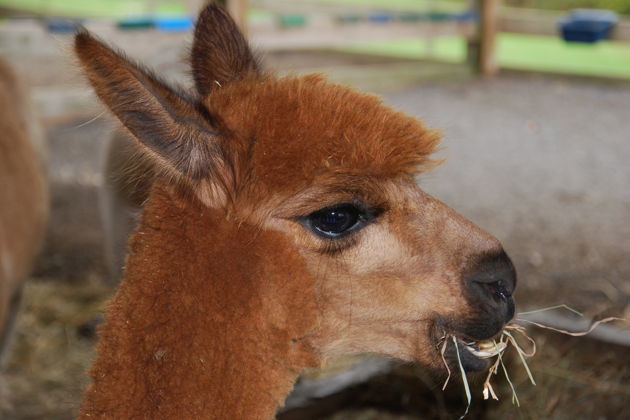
<point>330,169</point>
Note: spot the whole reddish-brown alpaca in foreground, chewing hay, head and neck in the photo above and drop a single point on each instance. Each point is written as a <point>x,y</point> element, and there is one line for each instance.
<point>284,226</point>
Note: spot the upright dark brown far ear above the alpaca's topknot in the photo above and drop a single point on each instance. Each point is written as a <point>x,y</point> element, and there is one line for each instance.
<point>220,52</point>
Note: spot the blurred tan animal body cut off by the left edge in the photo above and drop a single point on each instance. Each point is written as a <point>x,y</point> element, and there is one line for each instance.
<point>24,202</point>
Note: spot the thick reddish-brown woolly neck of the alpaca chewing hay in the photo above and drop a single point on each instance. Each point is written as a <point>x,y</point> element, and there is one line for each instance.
<point>205,323</point>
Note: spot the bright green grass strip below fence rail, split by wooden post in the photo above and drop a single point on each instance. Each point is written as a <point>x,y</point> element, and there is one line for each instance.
<point>516,51</point>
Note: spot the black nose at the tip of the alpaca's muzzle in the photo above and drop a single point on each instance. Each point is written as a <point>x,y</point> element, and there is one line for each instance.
<point>492,280</point>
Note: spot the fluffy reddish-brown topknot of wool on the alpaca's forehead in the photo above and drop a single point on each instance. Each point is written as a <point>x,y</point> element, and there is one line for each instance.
<point>300,126</point>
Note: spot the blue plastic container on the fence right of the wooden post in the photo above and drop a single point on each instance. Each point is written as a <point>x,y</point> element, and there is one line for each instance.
<point>587,25</point>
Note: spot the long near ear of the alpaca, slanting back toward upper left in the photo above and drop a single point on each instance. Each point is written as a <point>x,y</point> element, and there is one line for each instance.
<point>173,128</point>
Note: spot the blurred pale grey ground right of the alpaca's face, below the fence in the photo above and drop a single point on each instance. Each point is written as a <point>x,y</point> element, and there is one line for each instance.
<point>543,164</point>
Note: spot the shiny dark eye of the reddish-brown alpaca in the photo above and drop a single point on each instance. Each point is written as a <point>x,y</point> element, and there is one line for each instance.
<point>334,222</point>
